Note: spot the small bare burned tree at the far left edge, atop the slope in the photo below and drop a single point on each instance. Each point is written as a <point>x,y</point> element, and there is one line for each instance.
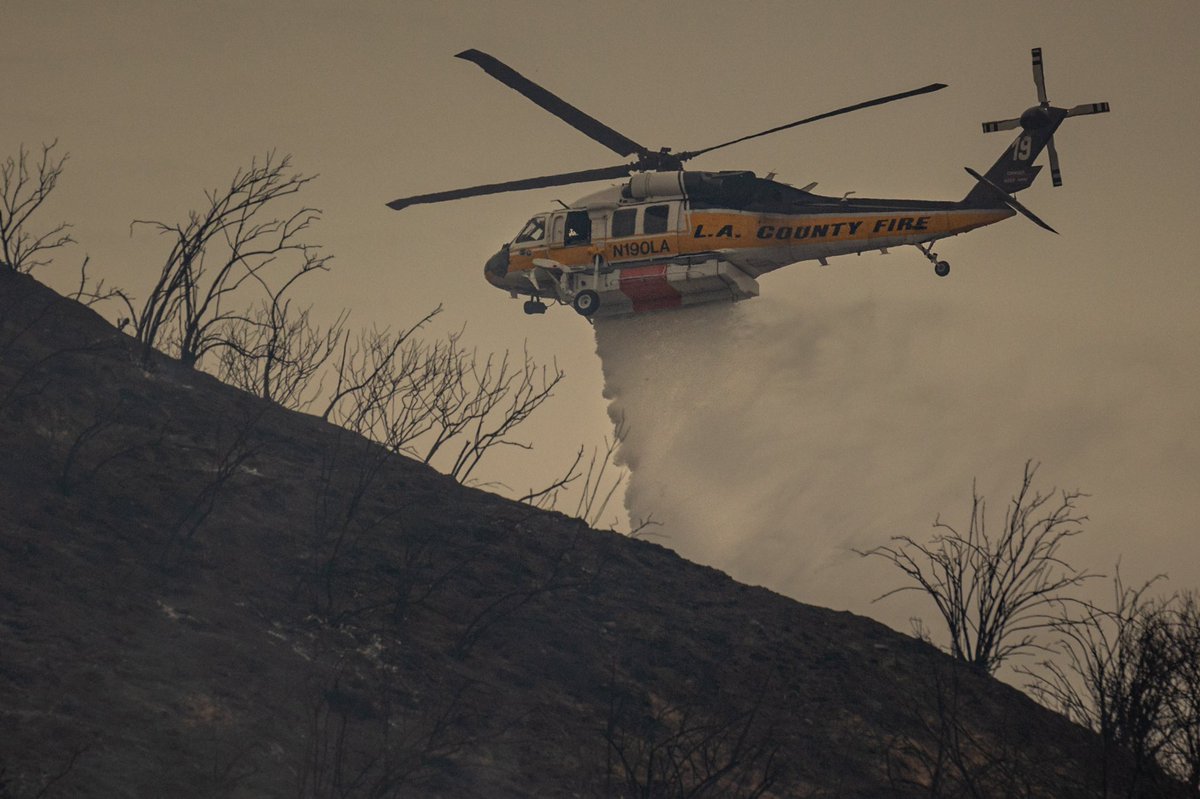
<point>25,189</point>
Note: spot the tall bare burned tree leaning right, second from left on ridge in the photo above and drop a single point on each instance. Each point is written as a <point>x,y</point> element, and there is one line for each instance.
<point>233,243</point>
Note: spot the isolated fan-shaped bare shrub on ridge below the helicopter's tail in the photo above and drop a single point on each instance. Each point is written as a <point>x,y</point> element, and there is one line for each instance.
<point>995,591</point>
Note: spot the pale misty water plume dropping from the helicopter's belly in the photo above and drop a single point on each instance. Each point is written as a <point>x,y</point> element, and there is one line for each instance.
<point>772,438</point>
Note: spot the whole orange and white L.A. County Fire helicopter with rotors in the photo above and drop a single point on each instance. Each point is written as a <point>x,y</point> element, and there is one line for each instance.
<point>668,238</point>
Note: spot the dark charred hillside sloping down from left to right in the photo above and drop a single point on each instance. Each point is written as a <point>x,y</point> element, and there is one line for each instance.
<point>205,596</point>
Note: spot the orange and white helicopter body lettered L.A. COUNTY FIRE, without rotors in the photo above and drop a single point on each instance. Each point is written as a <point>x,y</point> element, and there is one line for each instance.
<point>754,224</point>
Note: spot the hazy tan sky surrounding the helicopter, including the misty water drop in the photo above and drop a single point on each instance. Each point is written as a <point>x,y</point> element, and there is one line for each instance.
<point>862,399</point>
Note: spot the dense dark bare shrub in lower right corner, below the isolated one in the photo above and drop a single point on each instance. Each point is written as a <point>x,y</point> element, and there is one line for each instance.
<point>1114,675</point>
